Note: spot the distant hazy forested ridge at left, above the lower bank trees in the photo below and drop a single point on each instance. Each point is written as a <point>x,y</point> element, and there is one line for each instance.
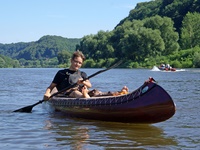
<point>45,47</point>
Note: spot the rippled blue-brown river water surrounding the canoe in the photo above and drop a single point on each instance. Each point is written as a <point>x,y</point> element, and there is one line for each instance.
<point>42,129</point>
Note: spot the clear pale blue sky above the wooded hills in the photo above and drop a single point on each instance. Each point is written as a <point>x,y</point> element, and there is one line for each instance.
<point>29,20</point>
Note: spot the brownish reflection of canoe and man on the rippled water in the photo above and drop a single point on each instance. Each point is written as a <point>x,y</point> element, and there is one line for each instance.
<point>85,133</point>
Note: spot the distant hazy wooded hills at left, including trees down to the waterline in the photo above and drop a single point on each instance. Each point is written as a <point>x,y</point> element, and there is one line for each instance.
<point>41,53</point>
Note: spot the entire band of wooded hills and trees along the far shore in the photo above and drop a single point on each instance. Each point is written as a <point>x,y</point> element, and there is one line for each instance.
<point>168,33</point>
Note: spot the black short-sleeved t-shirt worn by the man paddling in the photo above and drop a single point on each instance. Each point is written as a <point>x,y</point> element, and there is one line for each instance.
<point>61,78</point>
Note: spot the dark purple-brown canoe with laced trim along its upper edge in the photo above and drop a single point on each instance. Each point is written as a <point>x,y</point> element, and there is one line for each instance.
<point>148,104</point>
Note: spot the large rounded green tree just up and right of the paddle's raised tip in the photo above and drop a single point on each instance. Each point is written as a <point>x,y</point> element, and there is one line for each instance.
<point>145,42</point>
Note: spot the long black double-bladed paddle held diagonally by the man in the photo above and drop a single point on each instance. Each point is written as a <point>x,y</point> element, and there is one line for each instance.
<point>29,108</point>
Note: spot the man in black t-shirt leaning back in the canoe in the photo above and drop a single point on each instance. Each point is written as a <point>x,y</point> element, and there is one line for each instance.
<point>67,77</point>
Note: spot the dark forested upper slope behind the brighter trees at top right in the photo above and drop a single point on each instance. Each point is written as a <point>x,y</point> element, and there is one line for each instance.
<point>174,9</point>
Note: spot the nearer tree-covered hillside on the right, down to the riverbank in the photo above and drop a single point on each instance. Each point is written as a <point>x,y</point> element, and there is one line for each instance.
<point>155,32</point>
